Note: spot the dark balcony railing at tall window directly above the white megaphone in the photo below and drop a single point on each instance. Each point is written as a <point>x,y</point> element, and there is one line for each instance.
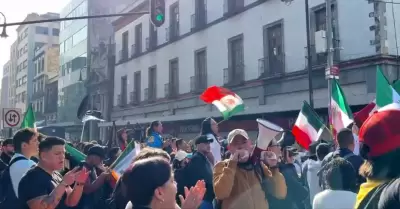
<point>268,69</point>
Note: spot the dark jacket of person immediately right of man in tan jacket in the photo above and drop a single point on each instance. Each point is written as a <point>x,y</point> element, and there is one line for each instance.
<point>296,192</point>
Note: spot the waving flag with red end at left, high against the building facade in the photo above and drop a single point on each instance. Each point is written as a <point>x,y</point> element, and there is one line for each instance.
<point>227,102</point>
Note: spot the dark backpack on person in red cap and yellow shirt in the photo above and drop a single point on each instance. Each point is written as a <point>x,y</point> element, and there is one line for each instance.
<point>371,200</point>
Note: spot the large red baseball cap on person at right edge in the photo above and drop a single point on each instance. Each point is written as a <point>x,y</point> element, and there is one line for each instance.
<point>380,132</point>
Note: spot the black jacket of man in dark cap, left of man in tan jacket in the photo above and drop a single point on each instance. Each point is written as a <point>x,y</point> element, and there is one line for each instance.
<point>199,168</point>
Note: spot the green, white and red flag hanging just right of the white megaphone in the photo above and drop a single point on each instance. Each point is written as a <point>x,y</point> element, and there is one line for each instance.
<point>308,127</point>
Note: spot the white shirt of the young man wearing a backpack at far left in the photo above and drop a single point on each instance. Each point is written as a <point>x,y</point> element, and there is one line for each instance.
<point>18,169</point>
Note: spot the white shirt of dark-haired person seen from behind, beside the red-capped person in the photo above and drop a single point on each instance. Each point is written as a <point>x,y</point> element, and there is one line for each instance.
<point>334,199</point>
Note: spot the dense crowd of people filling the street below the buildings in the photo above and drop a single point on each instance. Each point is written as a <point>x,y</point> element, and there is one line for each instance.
<point>208,172</point>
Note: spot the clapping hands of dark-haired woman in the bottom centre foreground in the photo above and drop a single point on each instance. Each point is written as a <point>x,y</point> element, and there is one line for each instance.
<point>193,196</point>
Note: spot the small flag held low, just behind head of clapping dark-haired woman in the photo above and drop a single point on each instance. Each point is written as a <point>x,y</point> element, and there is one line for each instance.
<point>124,160</point>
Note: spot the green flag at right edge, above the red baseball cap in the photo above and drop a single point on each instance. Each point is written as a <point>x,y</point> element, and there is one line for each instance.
<point>385,93</point>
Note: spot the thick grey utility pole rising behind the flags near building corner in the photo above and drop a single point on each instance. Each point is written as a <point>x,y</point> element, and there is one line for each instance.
<point>330,51</point>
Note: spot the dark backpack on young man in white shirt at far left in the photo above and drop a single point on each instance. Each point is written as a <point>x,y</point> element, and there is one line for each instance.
<point>8,198</point>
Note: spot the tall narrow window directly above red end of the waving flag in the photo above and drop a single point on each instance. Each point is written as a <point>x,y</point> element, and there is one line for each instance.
<point>200,69</point>
